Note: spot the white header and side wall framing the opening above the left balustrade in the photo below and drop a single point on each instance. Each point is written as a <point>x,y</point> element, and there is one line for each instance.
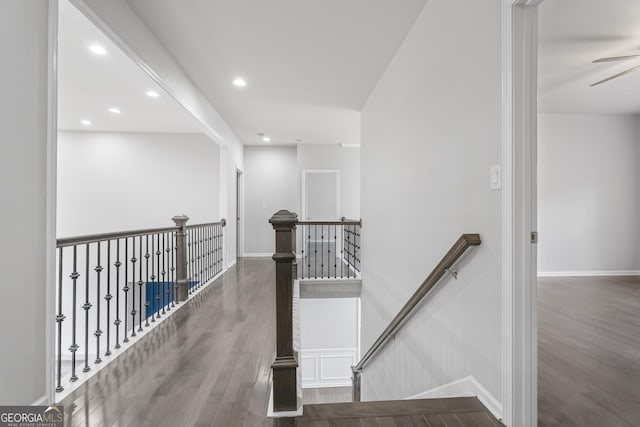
<point>129,32</point>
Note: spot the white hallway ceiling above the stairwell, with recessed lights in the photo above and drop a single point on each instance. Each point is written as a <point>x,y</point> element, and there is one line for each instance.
<point>309,65</point>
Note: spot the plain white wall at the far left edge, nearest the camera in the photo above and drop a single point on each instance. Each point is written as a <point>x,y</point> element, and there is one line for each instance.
<point>23,185</point>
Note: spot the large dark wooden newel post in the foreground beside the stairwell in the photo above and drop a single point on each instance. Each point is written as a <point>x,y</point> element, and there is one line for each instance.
<point>286,363</point>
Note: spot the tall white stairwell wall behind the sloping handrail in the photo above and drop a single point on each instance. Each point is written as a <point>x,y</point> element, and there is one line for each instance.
<point>430,132</point>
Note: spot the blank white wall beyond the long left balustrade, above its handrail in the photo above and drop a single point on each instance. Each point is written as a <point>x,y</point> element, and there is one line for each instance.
<point>125,181</point>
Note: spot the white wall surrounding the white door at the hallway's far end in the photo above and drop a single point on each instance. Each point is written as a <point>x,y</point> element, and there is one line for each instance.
<point>344,160</point>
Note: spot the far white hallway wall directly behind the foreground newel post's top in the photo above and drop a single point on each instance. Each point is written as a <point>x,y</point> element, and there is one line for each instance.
<point>270,184</point>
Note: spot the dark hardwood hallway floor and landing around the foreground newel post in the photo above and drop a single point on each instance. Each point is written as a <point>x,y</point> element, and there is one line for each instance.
<point>209,365</point>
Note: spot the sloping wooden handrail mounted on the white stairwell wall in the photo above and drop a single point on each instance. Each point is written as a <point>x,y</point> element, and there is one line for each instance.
<point>459,247</point>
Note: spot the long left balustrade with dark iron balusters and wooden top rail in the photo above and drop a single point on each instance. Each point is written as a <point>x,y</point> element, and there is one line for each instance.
<point>114,286</point>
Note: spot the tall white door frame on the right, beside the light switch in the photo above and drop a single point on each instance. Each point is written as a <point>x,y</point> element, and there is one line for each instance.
<point>519,208</point>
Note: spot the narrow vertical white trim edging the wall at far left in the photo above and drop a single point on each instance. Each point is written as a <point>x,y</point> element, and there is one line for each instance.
<point>51,200</point>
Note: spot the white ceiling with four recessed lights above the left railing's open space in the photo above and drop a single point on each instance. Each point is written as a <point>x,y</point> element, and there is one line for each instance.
<point>88,85</point>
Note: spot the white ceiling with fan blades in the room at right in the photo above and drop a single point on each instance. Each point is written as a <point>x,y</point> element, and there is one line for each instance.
<point>573,33</point>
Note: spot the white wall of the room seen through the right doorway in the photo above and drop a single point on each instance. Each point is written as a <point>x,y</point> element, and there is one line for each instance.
<point>588,193</point>
